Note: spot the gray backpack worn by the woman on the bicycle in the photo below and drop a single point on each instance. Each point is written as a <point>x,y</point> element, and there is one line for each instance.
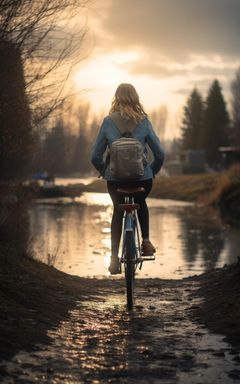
<point>127,158</point>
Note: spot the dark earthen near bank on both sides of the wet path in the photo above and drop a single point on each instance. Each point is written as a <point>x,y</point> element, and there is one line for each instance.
<point>36,299</point>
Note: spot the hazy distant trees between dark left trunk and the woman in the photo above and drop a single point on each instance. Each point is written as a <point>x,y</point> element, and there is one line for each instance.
<point>65,148</point>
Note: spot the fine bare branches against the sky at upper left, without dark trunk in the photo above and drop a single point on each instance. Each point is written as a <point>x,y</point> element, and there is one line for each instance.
<point>43,32</point>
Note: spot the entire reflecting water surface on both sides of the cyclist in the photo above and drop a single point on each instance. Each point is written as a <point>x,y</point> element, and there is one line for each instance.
<point>74,236</point>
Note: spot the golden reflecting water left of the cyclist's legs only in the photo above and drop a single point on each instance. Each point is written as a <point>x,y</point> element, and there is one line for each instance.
<point>69,237</point>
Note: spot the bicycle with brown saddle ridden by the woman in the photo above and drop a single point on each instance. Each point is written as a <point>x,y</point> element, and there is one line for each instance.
<point>131,256</point>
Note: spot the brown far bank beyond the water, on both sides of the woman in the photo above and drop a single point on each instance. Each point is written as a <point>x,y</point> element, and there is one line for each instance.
<point>221,190</point>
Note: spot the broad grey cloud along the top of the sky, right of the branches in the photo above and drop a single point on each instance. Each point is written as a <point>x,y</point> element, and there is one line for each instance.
<point>174,29</point>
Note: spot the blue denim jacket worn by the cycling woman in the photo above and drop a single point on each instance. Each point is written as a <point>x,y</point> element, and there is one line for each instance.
<point>143,132</point>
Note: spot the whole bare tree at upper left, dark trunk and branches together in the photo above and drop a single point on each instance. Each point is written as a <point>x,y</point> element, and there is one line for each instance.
<point>39,45</point>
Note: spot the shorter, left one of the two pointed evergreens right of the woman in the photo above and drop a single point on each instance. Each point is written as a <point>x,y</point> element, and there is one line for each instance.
<point>192,122</point>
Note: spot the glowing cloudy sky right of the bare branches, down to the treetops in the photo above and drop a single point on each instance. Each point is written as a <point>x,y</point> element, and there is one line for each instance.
<point>164,48</point>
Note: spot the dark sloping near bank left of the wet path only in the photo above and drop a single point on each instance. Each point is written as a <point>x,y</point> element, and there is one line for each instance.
<point>34,298</point>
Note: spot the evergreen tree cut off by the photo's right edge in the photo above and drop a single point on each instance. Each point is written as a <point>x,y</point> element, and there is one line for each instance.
<point>235,107</point>
